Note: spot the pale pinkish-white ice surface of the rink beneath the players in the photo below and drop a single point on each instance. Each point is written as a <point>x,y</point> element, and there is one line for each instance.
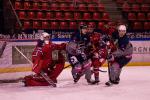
<point>134,85</point>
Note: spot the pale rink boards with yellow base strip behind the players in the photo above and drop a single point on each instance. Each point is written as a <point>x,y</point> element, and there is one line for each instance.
<point>10,62</point>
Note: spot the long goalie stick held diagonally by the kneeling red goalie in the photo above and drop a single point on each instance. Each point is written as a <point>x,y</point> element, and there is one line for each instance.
<point>50,81</point>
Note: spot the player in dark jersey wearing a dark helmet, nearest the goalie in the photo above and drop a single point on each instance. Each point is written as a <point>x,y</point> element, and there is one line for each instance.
<point>76,54</point>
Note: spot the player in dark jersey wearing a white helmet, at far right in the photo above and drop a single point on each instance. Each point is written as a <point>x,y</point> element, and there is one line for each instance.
<point>121,56</point>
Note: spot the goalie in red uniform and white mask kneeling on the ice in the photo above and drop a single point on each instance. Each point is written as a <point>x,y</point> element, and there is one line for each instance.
<point>42,62</point>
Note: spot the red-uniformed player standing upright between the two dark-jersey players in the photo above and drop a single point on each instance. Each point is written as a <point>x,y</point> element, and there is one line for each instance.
<point>98,51</point>
